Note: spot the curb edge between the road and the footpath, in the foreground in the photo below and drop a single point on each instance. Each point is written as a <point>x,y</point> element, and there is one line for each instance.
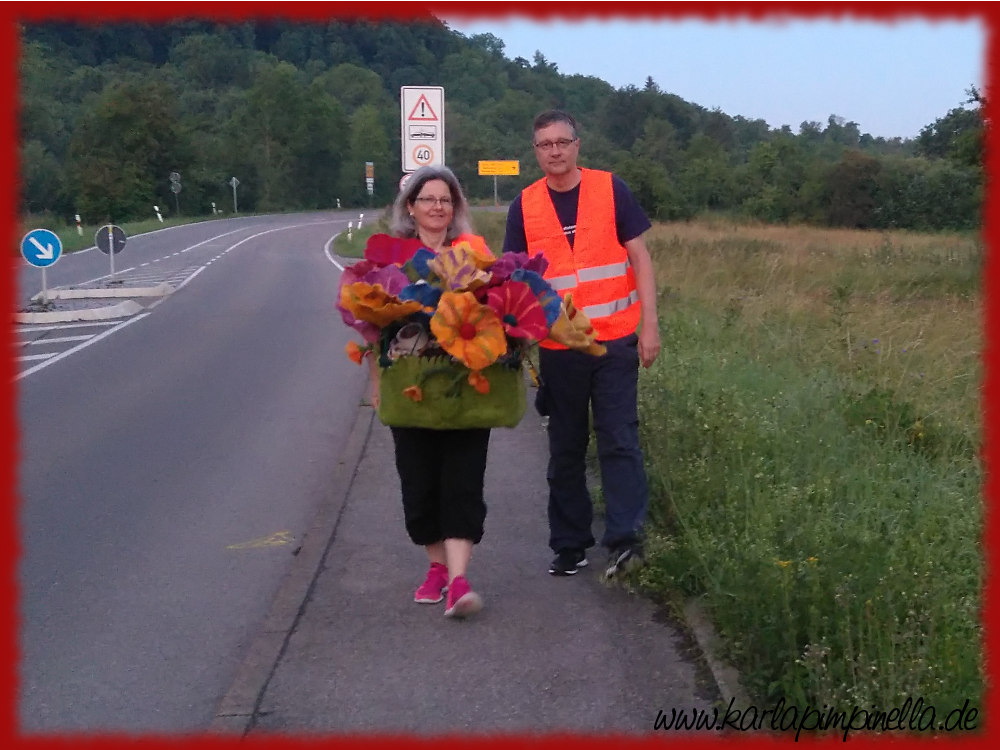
<point>237,709</point>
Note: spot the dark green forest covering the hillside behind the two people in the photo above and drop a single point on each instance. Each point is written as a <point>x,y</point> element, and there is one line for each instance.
<point>294,110</point>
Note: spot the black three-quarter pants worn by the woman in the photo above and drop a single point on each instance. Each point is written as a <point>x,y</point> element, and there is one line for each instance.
<point>441,475</point>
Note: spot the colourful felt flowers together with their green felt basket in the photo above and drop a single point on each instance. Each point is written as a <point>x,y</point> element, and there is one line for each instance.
<point>452,329</point>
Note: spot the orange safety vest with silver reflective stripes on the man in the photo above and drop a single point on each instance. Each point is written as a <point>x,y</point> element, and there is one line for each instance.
<point>596,270</point>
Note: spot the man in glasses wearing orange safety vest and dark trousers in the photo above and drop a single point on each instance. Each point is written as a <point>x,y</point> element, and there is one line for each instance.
<point>589,227</point>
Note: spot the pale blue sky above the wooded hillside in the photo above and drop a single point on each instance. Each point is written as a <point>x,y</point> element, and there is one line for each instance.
<point>891,78</point>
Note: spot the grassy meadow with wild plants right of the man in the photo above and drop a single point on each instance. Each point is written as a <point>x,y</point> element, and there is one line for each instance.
<point>812,434</point>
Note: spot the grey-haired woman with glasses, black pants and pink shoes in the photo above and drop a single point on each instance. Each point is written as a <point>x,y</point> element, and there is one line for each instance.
<point>440,471</point>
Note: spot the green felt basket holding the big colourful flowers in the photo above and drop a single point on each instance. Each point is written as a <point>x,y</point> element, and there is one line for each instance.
<point>449,402</point>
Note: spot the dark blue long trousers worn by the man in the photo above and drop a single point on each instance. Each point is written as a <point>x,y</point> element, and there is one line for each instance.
<point>573,384</point>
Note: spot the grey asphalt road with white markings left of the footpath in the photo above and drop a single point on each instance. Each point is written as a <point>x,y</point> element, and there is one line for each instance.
<point>168,469</point>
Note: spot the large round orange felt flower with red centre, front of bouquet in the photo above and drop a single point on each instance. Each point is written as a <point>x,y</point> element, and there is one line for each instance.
<point>470,332</point>
